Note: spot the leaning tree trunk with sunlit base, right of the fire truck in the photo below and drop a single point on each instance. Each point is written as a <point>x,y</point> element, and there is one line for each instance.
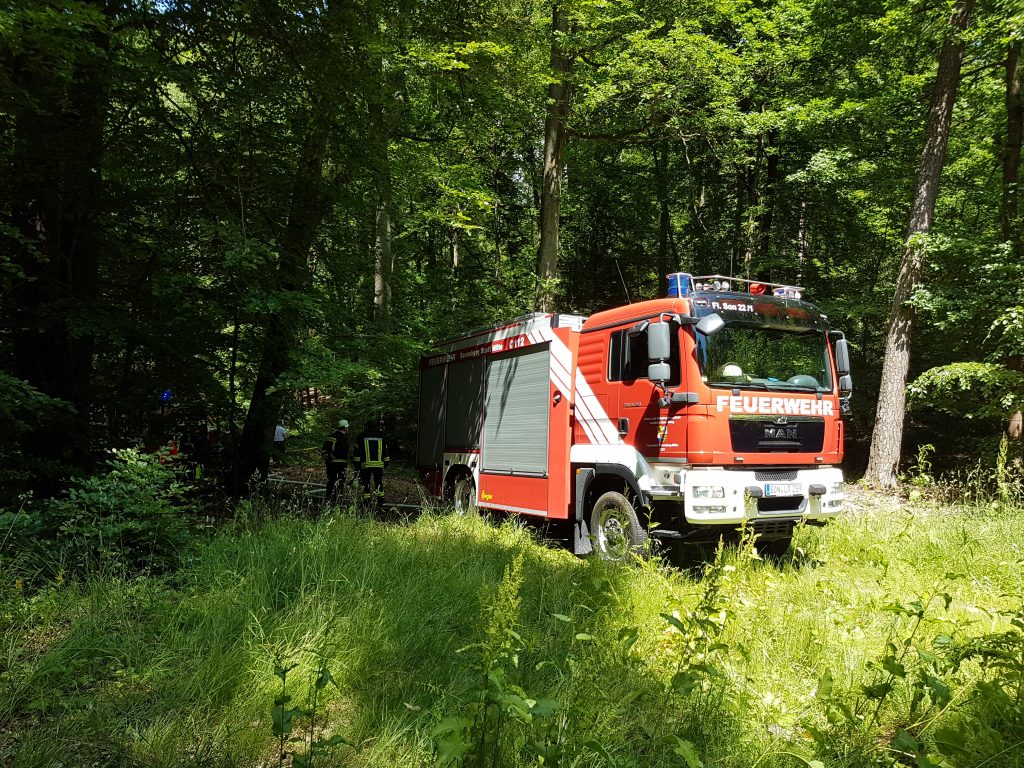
<point>888,436</point>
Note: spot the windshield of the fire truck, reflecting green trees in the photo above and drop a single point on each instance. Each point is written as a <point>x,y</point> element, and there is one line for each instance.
<point>748,357</point>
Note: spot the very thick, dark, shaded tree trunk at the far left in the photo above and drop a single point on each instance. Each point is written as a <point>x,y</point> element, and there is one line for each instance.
<point>58,192</point>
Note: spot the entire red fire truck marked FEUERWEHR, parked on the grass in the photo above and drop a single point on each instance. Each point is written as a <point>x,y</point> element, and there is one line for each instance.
<point>677,418</point>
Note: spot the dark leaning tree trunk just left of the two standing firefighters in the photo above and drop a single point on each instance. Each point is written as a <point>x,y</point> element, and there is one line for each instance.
<point>307,211</point>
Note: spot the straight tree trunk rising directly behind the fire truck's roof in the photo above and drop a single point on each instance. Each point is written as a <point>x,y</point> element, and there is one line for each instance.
<point>554,145</point>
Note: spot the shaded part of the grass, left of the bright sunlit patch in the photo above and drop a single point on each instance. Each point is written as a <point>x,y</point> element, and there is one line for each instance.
<point>157,672</point>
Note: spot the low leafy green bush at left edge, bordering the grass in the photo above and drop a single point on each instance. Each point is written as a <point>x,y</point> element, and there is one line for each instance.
<point>133,519</point>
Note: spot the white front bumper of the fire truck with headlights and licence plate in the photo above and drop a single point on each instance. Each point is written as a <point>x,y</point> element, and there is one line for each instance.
<point>719,497</point>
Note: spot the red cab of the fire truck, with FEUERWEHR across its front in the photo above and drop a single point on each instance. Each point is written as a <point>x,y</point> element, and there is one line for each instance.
<point>729,399</point>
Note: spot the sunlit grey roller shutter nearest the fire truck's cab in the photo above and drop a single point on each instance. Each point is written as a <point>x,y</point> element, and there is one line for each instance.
<point>516,424</point>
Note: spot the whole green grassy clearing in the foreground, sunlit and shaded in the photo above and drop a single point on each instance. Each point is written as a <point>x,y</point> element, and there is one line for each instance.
<point>411,618</point>
